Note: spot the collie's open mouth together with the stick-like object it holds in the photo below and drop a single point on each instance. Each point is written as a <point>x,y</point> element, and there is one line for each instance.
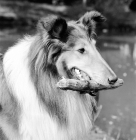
<point>79,80</point>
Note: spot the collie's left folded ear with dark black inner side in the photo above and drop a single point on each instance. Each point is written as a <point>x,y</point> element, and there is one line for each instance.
<point>55,26</point>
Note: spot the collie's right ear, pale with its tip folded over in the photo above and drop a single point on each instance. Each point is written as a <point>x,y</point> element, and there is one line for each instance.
<point>90,19</point>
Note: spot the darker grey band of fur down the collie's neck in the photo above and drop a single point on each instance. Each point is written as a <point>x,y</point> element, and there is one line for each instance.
<point>45,77</point>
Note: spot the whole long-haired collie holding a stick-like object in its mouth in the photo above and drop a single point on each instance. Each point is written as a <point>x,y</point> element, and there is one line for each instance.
<point>48,81</point>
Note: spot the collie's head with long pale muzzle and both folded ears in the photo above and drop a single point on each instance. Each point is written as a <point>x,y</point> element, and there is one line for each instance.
<point>72,52</point>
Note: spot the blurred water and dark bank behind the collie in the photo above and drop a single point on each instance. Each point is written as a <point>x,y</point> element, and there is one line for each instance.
<point>116,42</point>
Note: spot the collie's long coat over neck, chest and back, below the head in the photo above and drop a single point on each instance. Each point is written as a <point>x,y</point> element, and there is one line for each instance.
<point>32,107</point>
